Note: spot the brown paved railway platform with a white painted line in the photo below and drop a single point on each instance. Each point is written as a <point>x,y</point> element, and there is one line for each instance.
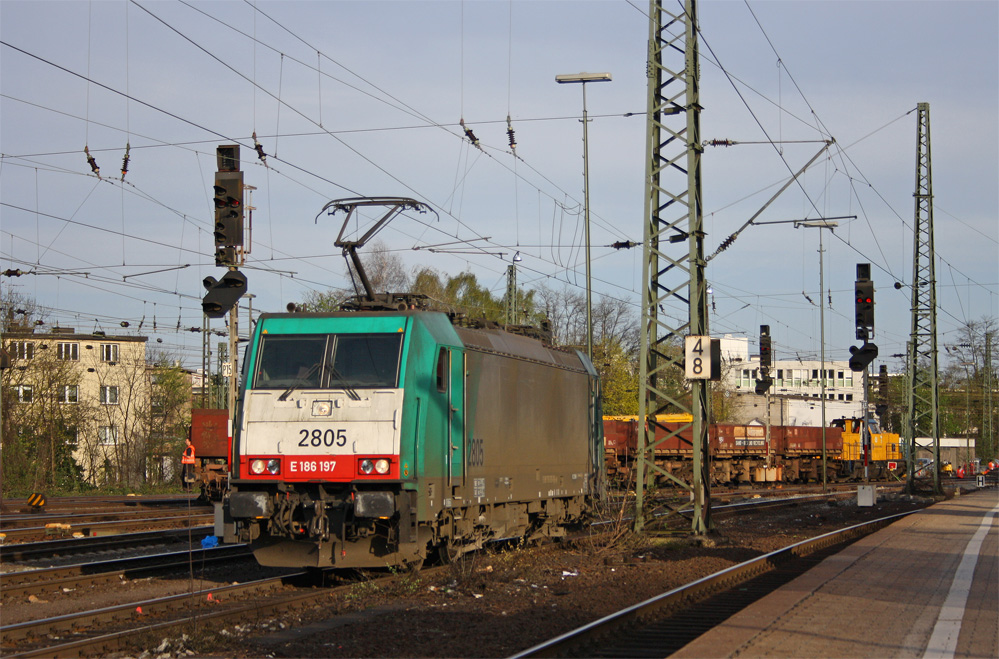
<point>926,586</point>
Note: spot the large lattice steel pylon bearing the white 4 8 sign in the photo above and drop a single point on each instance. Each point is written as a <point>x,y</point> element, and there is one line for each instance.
<point>673,250</point>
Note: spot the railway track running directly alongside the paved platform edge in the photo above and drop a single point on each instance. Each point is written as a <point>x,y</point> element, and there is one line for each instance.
<point>662,625</point>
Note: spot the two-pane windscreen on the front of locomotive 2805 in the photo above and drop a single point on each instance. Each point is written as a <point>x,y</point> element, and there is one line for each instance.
<point>328,361</point>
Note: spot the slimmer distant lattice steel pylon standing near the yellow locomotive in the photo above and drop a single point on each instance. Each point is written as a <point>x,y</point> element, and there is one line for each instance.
<point>923,393</point>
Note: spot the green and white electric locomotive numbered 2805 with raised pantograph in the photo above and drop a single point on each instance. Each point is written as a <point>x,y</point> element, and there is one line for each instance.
<point>382,434</point>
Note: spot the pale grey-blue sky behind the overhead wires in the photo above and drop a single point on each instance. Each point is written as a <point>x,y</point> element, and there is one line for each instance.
<point>355,99</point>
